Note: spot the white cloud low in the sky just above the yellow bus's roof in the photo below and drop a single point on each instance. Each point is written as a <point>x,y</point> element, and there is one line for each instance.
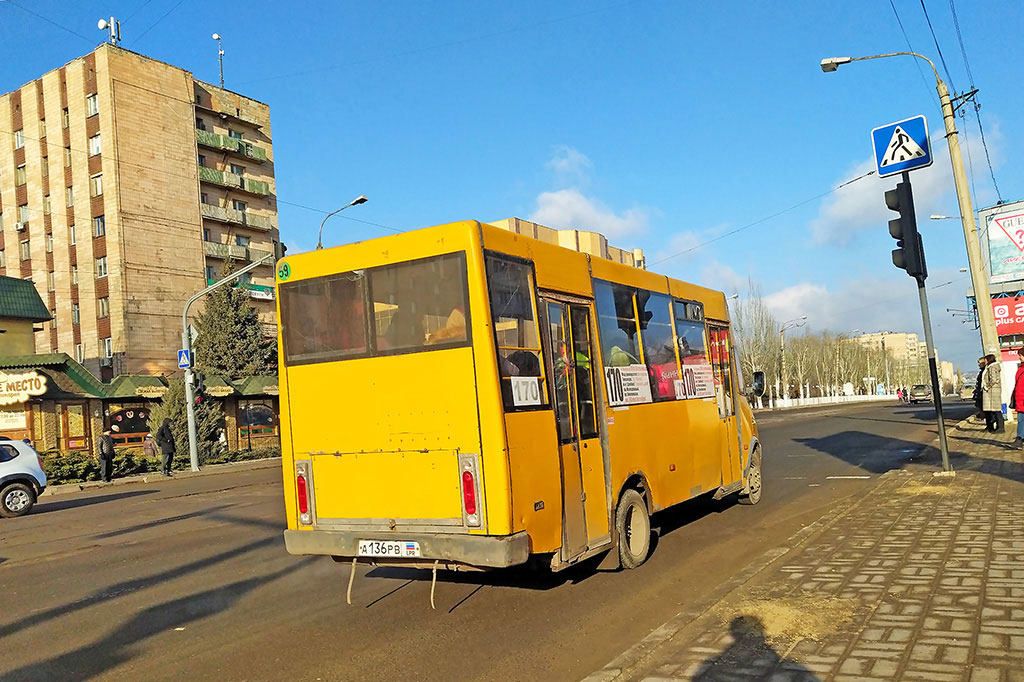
<point>571,209</point>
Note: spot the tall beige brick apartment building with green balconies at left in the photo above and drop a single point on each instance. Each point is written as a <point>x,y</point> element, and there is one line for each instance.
<point>125,185</point>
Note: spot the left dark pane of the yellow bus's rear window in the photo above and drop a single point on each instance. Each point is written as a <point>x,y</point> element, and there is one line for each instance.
<point>324,319</point>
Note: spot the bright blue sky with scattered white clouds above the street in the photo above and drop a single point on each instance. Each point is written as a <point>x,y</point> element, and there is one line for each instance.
<point>664,124</point>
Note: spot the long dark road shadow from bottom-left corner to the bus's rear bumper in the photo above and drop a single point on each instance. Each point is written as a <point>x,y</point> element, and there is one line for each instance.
<point>93,660</point>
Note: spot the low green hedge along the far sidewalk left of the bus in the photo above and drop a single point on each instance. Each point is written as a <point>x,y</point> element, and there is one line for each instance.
<point>78,466</point>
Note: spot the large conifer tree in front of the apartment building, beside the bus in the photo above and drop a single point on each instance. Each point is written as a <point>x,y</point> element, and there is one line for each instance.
<point>231,342</point>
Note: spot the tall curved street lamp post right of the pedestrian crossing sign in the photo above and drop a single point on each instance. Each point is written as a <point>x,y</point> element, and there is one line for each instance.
<point>979,281</point>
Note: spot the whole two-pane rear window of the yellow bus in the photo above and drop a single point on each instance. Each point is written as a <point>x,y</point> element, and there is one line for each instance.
<point>404,308</point>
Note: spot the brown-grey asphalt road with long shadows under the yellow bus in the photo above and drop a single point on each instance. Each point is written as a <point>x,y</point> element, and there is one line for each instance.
<point>189,579</point>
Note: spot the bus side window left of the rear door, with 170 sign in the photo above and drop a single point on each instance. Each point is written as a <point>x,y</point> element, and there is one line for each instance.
<point>514,311</point>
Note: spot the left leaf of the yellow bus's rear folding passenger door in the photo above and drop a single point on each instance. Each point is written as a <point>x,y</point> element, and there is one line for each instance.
<point>563,394</point>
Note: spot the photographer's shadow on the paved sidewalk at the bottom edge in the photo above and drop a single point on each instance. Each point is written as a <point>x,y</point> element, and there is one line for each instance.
<point>751,658</point>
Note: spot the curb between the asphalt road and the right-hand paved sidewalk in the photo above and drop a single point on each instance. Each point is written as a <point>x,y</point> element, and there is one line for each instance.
<point>639,653</point>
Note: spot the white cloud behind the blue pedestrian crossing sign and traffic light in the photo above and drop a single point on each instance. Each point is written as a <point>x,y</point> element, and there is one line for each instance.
<point>862,205</point>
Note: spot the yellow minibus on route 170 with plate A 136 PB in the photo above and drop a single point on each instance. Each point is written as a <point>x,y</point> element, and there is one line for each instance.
<point>464,397</point>
